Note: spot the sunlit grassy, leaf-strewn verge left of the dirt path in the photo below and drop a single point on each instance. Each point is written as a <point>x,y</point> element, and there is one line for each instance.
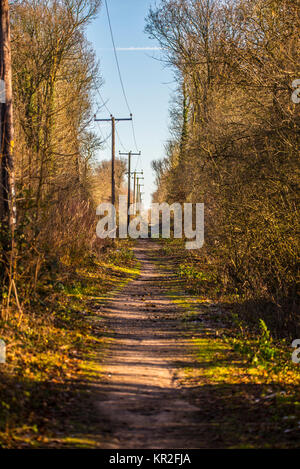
<point>51,347</point>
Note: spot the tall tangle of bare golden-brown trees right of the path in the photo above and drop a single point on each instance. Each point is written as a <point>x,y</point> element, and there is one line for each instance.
<point>236,139</point>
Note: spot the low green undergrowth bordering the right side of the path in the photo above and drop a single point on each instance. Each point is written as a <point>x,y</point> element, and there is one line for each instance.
<point>253,339</point>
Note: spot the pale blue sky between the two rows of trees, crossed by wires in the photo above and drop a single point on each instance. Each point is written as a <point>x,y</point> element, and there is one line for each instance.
<point>148,84</point>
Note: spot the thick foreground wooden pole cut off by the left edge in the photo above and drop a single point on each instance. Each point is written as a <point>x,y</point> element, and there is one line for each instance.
<point>7,178</point>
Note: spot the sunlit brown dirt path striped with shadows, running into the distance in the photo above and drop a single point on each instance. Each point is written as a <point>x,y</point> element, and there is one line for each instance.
<point>140,402</point>
